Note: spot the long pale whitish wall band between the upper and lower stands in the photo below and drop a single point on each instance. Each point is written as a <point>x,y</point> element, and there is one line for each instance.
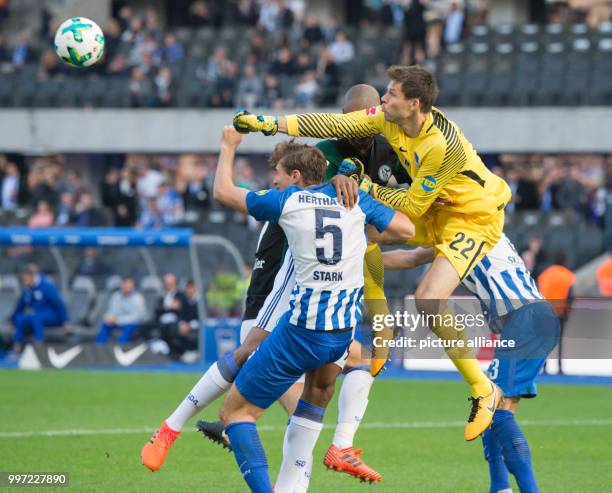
<point>490,130</point>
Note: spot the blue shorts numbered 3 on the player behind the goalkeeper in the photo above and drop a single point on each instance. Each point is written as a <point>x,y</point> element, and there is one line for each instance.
<point>534,328</point>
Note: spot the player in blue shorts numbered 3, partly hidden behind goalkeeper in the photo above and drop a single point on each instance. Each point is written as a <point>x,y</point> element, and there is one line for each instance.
<point>518,312</point>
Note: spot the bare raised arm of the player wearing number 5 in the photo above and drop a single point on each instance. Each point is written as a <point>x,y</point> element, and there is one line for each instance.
<point>224,189</point>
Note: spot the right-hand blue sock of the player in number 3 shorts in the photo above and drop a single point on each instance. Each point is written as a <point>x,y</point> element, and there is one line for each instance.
<point>514,449</point>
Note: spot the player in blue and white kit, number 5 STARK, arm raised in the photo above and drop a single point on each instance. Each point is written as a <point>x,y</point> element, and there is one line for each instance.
<point>327,243</point>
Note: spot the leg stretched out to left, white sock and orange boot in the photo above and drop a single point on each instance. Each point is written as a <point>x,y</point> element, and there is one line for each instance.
<point>214,383</point>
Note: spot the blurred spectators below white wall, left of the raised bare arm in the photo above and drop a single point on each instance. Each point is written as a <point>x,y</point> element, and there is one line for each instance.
<point>142,191</point>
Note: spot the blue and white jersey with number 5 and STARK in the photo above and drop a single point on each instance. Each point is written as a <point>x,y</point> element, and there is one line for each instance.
<point>327,243</point>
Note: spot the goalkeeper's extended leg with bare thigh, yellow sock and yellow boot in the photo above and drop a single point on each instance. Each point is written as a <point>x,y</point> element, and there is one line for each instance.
<point>431,299</point>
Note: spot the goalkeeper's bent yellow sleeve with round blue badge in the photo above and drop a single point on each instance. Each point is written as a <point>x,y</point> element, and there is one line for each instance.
<point>438,167</point>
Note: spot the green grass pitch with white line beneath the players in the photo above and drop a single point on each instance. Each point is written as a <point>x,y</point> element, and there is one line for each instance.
<point>567,457</point>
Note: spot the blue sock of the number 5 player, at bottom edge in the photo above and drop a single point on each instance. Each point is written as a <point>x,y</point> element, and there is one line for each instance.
<point>250,456</point>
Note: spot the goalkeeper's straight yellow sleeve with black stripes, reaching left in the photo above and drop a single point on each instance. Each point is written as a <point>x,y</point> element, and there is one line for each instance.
<point>362,123</point>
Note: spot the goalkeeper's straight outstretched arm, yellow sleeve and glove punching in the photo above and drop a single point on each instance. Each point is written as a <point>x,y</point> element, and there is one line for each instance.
<point>363,123</point>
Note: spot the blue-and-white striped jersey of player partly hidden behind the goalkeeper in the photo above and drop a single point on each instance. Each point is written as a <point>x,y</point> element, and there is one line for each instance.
<point>501,282</point>
